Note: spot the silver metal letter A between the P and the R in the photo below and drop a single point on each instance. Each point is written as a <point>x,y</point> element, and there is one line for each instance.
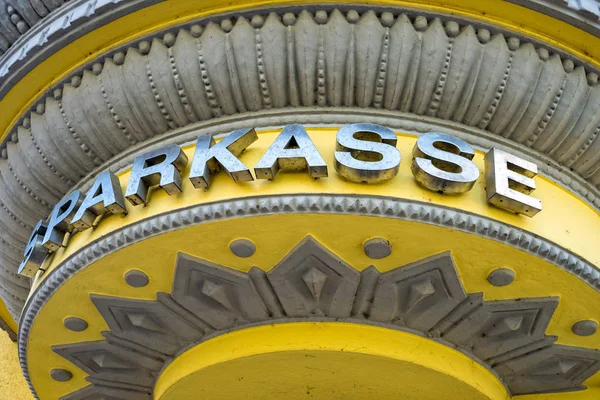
<point>104,196</point>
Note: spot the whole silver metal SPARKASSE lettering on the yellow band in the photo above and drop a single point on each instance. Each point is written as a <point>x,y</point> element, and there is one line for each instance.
<point>364,153</point>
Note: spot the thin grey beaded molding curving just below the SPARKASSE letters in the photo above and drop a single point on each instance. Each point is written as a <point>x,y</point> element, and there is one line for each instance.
<point>330,204</point>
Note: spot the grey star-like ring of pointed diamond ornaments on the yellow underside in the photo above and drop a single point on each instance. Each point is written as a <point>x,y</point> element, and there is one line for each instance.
<point>508,337</point>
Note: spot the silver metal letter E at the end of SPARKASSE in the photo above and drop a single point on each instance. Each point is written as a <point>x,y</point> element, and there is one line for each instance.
<point>509,182</point>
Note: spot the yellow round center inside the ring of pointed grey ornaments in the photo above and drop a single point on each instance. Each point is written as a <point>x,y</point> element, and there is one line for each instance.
<point>325,360</point>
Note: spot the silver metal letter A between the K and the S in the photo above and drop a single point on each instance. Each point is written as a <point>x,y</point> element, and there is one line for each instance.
<point>293,150</point>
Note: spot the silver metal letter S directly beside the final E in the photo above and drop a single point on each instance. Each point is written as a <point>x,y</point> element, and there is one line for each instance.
<point>442,163</point>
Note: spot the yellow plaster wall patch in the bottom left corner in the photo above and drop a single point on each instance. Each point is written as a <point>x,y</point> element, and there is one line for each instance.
<point>12,383</point>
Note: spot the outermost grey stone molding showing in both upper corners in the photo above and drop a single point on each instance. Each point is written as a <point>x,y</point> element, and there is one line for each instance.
<point>78,17</point>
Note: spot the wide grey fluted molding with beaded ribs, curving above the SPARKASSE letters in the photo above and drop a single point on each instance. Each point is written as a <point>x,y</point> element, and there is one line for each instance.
<point>501,86</point>
